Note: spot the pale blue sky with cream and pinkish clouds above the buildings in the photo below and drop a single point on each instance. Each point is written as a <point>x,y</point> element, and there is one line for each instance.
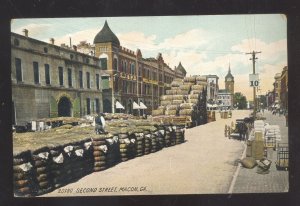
<point>204,44</point>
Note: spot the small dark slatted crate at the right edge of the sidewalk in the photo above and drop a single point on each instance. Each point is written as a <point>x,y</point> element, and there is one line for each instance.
<point>282,162</point>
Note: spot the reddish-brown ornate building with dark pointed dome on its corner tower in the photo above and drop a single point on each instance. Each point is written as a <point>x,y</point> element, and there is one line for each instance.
<point>128,76</point>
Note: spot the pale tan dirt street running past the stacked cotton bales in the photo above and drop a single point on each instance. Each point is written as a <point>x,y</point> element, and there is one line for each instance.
<point>203,164</point>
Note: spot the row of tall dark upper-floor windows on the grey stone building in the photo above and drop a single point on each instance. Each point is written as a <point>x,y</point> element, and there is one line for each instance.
<point>36,75</point>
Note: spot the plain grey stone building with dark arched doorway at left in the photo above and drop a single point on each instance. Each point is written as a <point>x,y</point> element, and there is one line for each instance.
<point>51,81</point>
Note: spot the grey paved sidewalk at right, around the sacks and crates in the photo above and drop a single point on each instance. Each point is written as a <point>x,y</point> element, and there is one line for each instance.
<point>248,181</point>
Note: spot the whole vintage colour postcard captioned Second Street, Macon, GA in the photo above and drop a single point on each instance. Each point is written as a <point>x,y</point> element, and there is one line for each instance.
<point>155,105</point>
